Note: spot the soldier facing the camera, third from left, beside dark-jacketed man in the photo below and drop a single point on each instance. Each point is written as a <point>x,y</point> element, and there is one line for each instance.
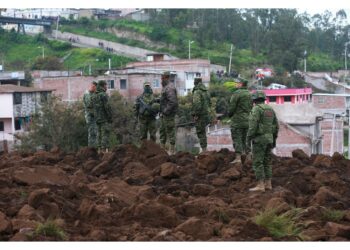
<point>146,110</point>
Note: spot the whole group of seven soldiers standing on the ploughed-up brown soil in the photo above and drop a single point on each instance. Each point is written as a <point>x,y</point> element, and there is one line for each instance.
<point>254,125</point>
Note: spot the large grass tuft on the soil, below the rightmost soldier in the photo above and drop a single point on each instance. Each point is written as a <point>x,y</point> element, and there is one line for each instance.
<point>279,225</point>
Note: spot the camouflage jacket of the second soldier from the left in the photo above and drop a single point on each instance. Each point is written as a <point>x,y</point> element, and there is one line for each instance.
<point>102,108</point>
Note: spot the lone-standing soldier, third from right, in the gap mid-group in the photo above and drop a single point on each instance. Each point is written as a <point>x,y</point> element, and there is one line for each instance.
<point>200,111</point>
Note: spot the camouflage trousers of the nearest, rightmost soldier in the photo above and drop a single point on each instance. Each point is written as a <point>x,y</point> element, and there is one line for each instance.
<point>262,160</point>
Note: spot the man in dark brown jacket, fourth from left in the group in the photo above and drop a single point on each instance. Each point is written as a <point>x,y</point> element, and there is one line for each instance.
<point>168,109</point>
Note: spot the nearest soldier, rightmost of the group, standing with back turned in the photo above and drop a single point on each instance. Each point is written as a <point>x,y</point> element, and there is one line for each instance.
<point>263,130</point>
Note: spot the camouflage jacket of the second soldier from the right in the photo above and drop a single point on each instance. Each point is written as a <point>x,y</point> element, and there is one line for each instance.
<point>239,108</point>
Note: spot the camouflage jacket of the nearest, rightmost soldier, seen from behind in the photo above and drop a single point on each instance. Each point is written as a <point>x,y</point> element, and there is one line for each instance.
<point>263,124</point>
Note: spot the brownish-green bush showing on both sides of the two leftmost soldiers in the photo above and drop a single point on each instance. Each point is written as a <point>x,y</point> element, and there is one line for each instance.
<point>63,125</point>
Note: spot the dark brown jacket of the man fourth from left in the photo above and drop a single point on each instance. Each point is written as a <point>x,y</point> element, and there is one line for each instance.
<point>168,100</point>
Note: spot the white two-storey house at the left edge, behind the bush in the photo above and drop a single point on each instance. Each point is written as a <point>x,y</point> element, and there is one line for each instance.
<point>17,104</point>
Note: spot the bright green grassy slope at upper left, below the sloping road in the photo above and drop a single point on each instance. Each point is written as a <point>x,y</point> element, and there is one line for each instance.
<point>22,52</point>
